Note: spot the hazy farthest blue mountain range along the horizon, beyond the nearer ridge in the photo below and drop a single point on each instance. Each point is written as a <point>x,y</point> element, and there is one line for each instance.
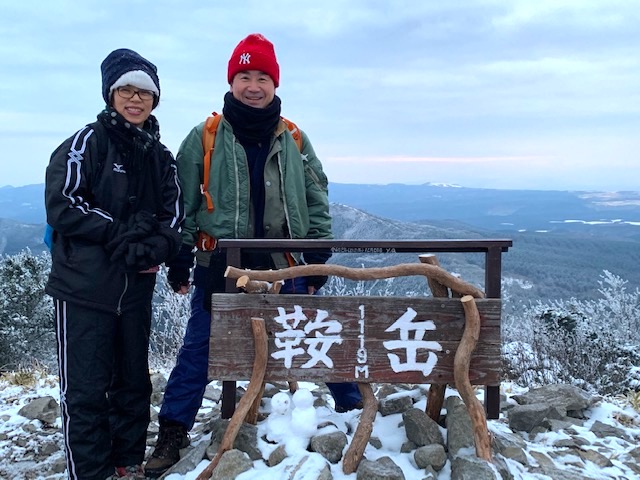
<point>601,213</point>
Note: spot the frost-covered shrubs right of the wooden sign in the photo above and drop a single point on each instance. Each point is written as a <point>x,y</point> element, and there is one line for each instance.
<point>593,344</point>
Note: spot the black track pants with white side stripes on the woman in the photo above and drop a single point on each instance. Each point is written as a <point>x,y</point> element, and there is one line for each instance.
<point>104,387</point>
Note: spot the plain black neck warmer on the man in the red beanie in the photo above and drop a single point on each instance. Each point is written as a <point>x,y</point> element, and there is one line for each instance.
<point>249,123</point>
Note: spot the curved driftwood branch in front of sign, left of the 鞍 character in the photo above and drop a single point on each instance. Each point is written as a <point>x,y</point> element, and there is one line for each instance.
<point>254,389</point>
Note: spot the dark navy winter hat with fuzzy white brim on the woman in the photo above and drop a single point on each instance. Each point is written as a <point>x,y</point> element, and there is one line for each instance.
<point>126,67</point>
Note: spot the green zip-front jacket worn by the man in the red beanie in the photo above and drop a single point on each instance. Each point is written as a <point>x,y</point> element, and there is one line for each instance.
<point>296,194</point>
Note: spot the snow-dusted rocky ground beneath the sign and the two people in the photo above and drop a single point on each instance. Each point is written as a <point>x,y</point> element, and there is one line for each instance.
<point>557,432</point>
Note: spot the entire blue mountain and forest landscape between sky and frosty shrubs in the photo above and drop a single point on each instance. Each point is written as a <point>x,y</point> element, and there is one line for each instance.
<point>562,241</point>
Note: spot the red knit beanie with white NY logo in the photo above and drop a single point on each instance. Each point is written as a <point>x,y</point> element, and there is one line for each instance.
<point>254,53</point>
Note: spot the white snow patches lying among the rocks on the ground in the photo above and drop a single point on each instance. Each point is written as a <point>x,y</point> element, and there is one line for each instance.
<point>16,459</point>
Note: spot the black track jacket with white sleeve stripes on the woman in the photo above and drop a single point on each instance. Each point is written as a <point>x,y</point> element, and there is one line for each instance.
<point>87,195</point>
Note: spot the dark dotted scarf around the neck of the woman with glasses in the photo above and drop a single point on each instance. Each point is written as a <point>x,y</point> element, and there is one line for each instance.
<point>135,144</point>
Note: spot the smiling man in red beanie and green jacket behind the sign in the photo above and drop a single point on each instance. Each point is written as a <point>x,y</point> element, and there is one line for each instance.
<point>260,185</point>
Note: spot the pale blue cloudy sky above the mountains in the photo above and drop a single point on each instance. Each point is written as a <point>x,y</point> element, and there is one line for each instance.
<point>522,94</point>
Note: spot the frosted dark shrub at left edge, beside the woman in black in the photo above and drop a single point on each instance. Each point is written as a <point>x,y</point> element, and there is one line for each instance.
<point>26,312</point>
